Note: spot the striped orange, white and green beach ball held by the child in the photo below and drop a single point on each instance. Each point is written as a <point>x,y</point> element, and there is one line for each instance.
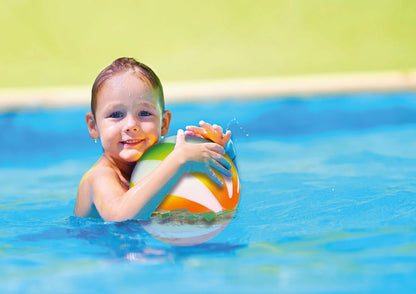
<point>196,209</point>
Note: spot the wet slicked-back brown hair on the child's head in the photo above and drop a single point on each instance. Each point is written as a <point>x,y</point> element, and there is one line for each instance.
<point>122,65</point>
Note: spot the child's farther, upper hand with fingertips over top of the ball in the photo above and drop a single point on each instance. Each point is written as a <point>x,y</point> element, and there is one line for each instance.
<point>209,132</point>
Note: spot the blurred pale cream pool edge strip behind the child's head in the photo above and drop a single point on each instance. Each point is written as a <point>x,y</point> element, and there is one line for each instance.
<point>211,90</point>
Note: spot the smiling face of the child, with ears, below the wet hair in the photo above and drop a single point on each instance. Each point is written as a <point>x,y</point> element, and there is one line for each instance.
<point>128,117</point>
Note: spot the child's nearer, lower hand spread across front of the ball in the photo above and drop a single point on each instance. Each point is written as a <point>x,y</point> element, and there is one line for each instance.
<point>205,158</point>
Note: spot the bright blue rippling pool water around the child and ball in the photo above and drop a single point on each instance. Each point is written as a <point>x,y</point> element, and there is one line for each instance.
<point>328,204</point>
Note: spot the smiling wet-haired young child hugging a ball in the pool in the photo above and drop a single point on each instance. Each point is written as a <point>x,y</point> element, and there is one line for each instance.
<point>128,115</point>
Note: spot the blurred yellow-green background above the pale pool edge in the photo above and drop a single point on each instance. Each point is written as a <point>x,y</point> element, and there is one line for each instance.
<point>61,43</point>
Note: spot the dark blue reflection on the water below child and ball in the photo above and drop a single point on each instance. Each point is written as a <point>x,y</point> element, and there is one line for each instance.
<point>123,240</point>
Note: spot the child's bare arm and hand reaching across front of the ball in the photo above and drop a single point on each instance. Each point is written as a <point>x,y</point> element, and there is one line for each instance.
<point>114,203</point>
